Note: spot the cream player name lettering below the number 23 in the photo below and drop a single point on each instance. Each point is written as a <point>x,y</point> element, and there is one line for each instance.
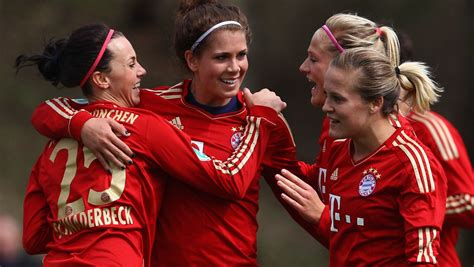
<point>115,215</point>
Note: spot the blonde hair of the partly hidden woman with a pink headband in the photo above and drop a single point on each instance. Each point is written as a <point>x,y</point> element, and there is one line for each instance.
<point>353,31</point>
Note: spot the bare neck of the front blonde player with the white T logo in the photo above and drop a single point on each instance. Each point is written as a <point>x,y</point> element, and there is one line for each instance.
<point>376,134</point>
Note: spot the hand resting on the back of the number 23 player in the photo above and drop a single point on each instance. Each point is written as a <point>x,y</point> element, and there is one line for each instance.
<point>100,135</point>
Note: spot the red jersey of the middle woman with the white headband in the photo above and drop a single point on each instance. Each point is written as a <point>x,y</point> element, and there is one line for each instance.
<point>196,228</point>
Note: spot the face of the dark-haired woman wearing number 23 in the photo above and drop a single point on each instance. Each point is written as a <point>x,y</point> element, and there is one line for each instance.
<point>125,73</point>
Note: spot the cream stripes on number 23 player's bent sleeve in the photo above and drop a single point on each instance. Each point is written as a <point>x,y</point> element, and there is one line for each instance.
<point>244,151</point>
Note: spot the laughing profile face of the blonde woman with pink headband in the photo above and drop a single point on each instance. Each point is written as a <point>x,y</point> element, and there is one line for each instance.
<point>314,67</point>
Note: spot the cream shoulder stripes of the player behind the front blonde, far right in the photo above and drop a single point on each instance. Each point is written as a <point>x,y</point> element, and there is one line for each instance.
<point>440,132</point>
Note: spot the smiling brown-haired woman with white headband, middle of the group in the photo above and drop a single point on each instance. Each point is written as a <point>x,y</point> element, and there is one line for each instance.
<point>197,228</point>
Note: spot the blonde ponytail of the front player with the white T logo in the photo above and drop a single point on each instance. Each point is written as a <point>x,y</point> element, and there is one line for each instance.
<point>415,77</point>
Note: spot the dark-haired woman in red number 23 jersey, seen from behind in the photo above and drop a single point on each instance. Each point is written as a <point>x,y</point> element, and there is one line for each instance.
<point>82,215</point>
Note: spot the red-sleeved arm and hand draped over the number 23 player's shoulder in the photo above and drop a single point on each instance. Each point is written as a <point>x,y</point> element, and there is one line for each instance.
<point>63,117</point>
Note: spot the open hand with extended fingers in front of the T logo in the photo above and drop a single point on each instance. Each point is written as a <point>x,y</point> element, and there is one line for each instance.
<point>301,196</point>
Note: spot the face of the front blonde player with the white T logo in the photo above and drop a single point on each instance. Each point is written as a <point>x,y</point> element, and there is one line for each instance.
<point>348,113</point>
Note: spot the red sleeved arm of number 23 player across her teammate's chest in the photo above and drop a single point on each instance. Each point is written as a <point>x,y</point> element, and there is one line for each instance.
<point>172,150</point>
